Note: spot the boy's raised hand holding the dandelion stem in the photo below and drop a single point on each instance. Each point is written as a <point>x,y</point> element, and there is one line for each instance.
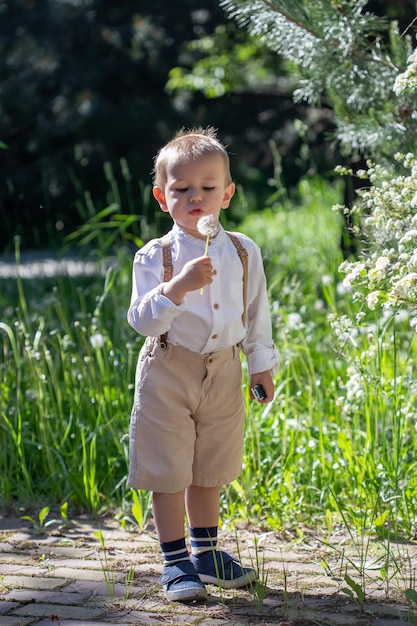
<point>195,274</point>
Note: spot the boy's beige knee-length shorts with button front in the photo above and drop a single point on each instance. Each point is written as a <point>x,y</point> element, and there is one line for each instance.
<point>187,420</point>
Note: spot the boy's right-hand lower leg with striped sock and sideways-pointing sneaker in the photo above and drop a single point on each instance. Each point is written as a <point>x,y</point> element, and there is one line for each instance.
<point>213,566</point>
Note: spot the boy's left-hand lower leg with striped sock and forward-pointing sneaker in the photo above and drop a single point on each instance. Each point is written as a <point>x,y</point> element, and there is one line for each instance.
<point>179,578</point>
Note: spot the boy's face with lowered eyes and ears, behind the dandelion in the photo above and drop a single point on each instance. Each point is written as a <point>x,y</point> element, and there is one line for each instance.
<point>193,190</point>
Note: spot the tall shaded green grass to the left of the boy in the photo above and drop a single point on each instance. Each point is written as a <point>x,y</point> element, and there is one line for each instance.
<point>66,373</point>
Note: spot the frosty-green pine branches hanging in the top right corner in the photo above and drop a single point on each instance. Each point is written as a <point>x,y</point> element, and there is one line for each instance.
<point>343,56</point>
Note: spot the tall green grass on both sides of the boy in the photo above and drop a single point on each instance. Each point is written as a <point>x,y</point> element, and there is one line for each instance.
<point>338,444</point>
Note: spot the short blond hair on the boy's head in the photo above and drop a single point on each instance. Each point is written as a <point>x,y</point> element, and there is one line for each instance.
<point>186,146</point>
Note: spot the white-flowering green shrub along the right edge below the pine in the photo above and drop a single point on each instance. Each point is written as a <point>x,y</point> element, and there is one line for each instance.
<point>383,284</point>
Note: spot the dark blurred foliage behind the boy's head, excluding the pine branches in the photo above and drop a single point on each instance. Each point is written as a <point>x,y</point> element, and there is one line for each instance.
<point>83,84</point>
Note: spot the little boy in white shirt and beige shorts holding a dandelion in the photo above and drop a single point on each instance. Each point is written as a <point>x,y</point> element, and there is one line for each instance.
<point>197,311</point>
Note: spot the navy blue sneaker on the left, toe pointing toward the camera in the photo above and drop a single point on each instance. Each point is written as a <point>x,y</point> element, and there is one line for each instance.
<point>181,582</point>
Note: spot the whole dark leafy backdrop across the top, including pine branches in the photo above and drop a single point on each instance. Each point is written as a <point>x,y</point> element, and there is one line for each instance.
<point>91,84</point>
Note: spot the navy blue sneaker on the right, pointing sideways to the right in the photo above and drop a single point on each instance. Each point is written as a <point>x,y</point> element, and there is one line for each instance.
<point>221,569</point>
